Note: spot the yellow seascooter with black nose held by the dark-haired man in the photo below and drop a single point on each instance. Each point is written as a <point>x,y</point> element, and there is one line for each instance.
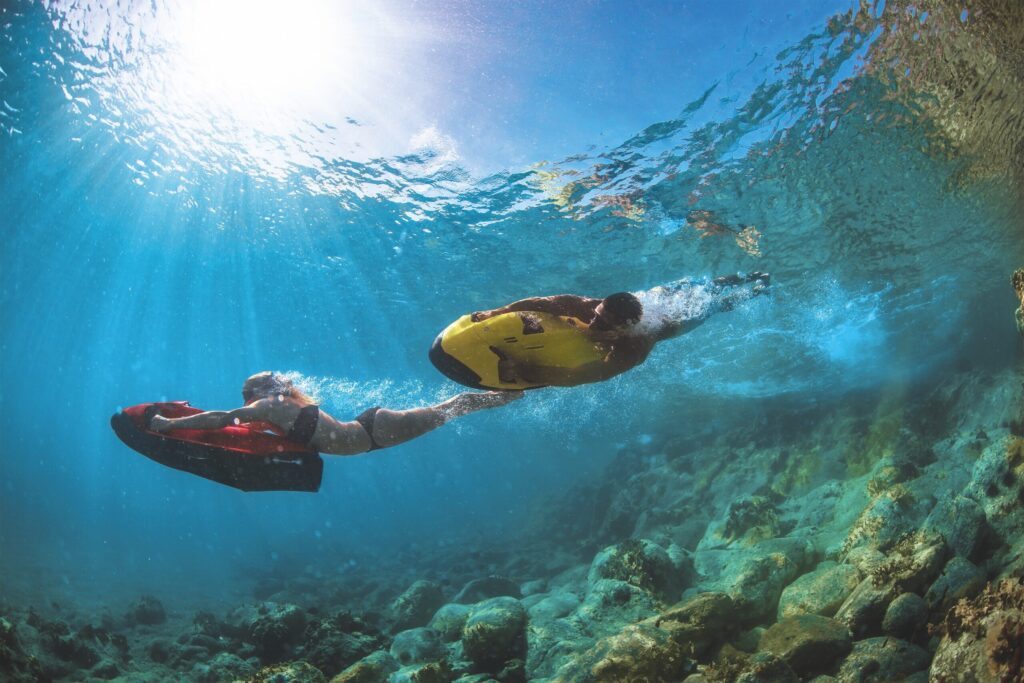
<point>470,353</point>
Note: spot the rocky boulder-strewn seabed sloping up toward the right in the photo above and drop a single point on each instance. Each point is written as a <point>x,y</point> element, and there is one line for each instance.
<point>874,540</point>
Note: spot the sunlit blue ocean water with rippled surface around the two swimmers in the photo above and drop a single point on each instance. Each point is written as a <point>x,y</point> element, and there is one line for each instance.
<point>193,193</point>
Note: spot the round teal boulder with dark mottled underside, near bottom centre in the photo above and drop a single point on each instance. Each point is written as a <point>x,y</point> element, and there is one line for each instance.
<point>495,633</point>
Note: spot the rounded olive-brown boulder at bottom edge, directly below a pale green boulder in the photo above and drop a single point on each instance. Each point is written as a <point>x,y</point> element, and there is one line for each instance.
<point>808,644</point>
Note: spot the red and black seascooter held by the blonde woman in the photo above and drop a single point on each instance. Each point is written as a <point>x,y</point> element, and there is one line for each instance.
<point>245,457</point>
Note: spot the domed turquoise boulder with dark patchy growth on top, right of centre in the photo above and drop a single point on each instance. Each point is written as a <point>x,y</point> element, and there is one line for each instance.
<point>641,564</point>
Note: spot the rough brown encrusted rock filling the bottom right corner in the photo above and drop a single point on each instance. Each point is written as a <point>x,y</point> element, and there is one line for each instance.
<point>984,638</point>
